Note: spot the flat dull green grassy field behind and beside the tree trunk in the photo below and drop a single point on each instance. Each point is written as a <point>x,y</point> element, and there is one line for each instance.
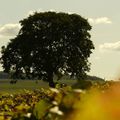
<point>5,85</point>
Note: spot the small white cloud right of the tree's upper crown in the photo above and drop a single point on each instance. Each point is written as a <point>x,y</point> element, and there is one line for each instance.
<point>101,20</point>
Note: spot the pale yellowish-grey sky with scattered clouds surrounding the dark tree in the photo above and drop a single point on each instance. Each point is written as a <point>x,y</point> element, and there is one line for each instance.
<point>103,16</point>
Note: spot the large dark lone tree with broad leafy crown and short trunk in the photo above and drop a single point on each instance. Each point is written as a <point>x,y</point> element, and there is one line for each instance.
<point>49,44</point>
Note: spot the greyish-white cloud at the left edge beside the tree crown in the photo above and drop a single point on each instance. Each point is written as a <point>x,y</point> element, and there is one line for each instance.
<point>9,29</point>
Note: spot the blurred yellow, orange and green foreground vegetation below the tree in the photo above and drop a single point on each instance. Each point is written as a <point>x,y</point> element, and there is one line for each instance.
<point>100,101</point>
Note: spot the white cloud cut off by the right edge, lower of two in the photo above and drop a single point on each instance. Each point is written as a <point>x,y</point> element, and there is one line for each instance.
<point>110,47</point>
